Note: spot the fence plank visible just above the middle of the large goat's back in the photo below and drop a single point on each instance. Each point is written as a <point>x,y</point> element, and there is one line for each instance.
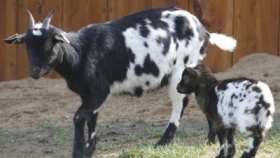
<point>120,8</point>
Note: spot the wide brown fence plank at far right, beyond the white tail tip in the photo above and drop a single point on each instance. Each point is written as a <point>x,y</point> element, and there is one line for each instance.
<point>256,27</point>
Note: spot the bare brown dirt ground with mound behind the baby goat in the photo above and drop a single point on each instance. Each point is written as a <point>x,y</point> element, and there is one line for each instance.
<point>36,115</point>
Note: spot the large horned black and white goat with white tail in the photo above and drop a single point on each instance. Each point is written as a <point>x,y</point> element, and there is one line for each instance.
<point>138,52</point>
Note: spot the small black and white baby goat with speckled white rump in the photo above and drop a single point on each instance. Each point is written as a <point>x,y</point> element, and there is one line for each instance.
<point>240,103</point>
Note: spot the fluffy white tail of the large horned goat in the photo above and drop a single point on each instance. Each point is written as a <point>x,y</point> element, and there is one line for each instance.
<point>224,42</point>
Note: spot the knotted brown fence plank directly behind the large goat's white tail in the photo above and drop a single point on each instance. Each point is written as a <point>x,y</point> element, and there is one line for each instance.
<point>216,16</point>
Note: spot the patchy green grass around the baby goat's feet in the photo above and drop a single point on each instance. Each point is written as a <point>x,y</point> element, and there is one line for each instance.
<point>192,144</point>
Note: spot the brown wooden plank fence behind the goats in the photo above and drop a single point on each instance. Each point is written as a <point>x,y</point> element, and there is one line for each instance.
<point>254,23</point>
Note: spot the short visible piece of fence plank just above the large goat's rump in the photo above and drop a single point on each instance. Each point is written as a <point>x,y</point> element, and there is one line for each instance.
<point>184,4</point>
